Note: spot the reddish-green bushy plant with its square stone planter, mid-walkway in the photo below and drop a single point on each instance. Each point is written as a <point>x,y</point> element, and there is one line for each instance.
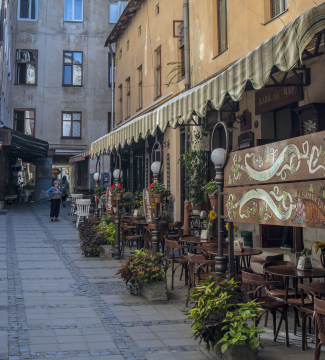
<point>145,273</point>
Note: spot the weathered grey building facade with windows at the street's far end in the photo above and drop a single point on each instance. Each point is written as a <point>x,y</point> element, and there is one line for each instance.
<point>56,75</point>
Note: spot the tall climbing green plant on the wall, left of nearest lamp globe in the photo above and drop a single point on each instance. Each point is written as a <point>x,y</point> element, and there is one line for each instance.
<point>194,159</point>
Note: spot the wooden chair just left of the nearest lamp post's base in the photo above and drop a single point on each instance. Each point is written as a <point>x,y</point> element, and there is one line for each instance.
<point>198,270</point>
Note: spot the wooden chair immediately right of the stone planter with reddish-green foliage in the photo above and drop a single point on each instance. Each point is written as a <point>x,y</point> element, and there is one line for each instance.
<point>179,259</point>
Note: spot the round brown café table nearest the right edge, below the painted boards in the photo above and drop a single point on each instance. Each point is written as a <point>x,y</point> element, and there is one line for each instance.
<point>288,273</point>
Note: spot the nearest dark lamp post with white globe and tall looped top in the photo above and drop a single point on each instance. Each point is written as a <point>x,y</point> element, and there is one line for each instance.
<point>219,158</point>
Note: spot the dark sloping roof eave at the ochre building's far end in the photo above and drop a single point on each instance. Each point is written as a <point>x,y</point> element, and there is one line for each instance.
<point>123,22</point>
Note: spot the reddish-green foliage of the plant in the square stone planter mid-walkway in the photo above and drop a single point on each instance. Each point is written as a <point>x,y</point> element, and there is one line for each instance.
<point>143,267</point>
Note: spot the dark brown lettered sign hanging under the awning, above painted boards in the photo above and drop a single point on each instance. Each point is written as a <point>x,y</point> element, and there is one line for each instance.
<point>271,98</point>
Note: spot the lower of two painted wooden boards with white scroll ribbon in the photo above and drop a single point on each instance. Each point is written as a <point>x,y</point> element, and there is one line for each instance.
<point>299,204</point>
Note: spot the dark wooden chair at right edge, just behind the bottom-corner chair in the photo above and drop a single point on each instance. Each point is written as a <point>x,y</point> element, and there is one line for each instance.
<point>306,308</point>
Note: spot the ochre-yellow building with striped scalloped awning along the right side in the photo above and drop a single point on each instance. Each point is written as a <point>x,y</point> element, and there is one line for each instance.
<point>267,105</point>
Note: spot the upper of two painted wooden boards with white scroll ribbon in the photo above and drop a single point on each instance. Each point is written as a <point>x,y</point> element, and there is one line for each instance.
<point>301,158</point>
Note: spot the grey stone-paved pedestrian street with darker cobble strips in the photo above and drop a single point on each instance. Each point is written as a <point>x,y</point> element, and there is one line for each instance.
<point>55,303</point>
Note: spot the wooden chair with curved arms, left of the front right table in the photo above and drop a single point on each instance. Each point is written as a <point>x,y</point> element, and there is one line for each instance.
<point>252,286</point>
